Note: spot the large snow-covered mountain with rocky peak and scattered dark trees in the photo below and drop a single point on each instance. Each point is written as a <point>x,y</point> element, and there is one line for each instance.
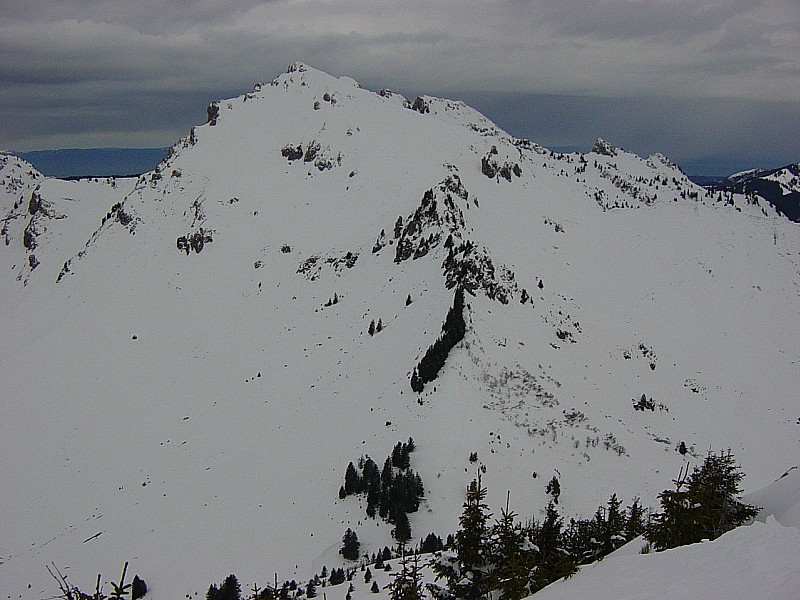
<point>188,369</point>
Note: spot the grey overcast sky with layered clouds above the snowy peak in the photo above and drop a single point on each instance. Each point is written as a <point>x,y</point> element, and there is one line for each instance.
<point>714,84</point>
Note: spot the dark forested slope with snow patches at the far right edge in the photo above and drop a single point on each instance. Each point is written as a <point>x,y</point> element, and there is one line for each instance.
<point>780,187</point>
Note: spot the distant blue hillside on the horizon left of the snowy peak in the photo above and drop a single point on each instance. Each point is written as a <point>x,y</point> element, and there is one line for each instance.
<point>95,162</point>
